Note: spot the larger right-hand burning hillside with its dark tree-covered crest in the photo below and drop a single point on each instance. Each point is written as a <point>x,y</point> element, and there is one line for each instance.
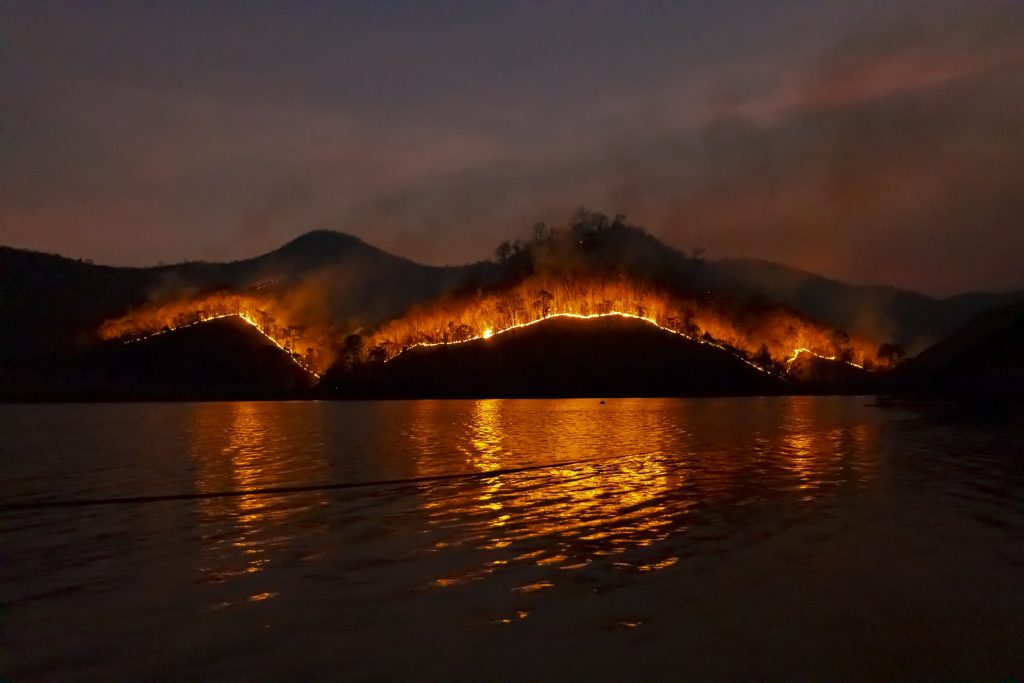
<point>601,268</point>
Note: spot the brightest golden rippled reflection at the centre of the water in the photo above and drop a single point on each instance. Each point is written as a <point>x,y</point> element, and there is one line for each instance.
<point>601,506</point>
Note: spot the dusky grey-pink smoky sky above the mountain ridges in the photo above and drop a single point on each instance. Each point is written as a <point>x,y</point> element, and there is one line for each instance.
<point>870,142</point>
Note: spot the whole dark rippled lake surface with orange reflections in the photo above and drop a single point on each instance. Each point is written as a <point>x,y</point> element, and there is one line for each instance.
<point>762,539</point>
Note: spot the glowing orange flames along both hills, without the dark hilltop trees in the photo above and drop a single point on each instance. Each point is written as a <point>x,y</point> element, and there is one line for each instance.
<point>769,338</point>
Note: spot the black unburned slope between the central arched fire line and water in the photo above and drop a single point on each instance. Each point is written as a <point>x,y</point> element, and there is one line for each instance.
<point>610,357</point>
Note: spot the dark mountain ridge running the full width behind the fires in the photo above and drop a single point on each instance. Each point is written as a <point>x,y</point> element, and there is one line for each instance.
<point>55,304</point>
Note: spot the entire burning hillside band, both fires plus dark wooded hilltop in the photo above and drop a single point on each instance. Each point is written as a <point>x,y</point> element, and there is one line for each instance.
<point>592,268</point>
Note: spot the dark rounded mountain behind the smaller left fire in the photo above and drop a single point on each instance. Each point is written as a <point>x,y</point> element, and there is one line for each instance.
<point>52,305</point>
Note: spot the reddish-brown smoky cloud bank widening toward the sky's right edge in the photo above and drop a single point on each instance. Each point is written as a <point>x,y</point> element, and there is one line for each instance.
<point>895,158</point>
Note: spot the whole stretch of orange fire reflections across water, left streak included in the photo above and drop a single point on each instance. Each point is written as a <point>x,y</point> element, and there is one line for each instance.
<point>633,487</point>
